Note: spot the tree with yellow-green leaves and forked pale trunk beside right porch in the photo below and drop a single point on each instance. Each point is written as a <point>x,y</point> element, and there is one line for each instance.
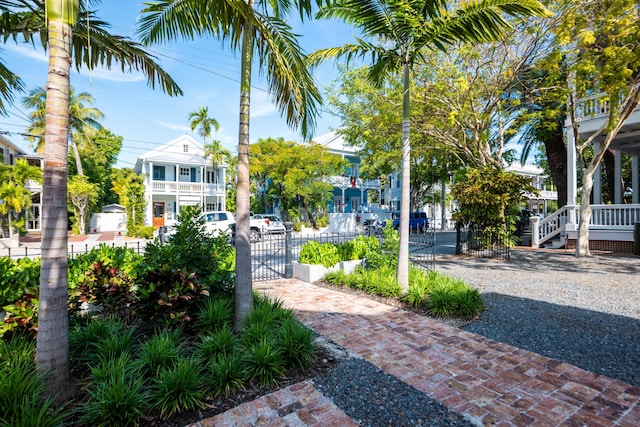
<point>601,42</point>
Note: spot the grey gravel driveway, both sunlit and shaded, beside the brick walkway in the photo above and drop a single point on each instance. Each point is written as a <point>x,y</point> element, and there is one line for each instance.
<point>582,311</point>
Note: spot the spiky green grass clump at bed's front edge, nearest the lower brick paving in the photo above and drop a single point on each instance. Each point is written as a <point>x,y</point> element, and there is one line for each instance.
<point>178,388</point>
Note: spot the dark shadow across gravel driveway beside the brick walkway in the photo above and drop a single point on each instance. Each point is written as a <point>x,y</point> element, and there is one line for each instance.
<point>598,342</point>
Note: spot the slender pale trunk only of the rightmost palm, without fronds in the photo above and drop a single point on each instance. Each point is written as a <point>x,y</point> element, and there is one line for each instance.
<point>402,273</point>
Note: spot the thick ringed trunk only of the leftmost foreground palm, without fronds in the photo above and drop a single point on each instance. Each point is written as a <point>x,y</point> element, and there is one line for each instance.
<point>52,350</point>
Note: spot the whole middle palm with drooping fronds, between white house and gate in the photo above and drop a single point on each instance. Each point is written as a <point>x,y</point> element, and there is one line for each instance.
<point>251,27</point>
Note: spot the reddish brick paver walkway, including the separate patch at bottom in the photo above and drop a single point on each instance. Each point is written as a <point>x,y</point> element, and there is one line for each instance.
<point>489,382</point>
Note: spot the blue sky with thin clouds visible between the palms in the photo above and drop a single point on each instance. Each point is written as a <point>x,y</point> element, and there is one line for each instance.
<point>207,72</point>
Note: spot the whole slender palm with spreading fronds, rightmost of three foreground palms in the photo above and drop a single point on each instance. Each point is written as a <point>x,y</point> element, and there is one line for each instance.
<point>398,30</point>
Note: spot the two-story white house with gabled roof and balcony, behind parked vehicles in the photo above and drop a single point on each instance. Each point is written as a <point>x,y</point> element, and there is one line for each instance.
<point>176,175</point>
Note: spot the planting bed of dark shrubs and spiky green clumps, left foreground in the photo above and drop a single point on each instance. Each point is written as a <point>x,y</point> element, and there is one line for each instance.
<point>150,343</point>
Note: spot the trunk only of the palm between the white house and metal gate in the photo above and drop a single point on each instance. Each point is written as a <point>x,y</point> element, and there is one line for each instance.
<point>244,291</point>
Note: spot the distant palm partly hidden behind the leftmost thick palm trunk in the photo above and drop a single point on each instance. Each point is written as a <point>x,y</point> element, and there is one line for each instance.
<point>83,120</point>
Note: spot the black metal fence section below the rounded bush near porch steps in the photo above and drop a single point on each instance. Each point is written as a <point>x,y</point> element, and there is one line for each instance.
<point>482,242</point>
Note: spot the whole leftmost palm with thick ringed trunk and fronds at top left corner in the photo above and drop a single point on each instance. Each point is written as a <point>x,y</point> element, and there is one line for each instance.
<point>54,21</point>
